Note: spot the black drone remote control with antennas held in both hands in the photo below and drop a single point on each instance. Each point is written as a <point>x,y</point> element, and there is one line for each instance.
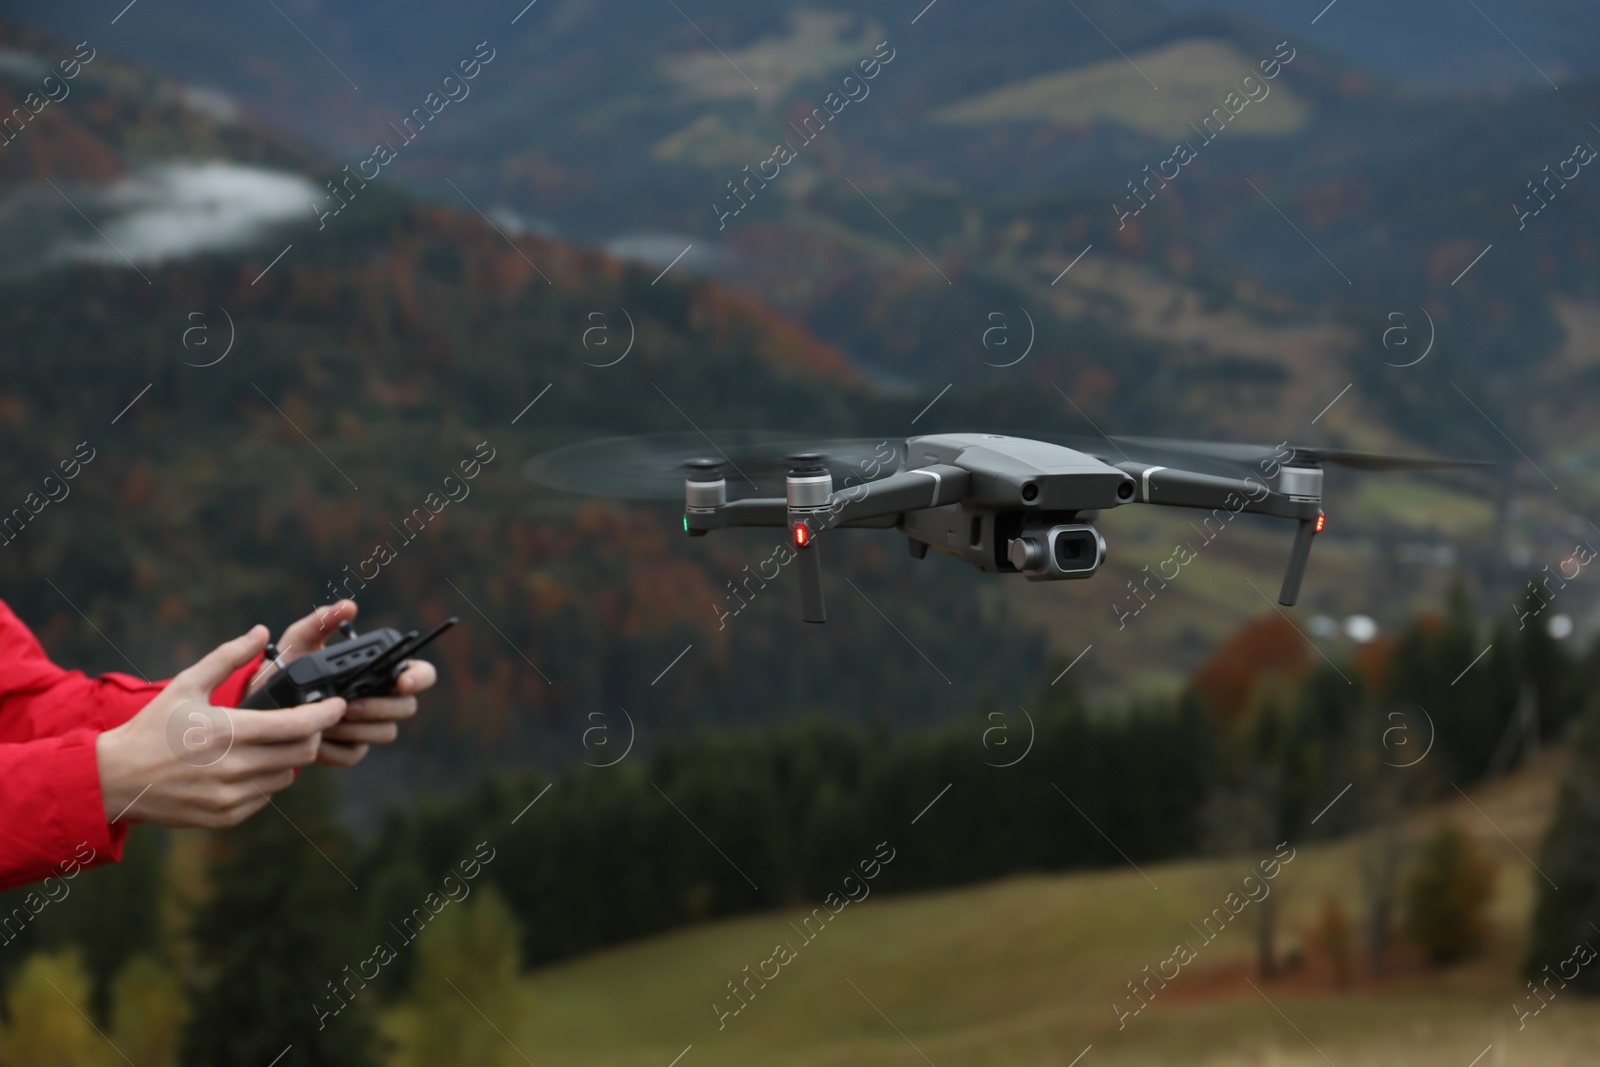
<point>362,665</point>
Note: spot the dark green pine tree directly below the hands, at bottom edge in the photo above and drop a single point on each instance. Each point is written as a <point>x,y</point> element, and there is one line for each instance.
<point>279,929</point>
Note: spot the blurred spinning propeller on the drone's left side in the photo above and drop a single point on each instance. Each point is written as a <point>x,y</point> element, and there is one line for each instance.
<point>652,468</point>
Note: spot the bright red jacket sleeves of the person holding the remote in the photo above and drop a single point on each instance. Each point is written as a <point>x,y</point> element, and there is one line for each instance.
<point>50,797</point>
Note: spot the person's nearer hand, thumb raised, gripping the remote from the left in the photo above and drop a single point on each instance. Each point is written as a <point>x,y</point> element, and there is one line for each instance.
<point>182,762</point>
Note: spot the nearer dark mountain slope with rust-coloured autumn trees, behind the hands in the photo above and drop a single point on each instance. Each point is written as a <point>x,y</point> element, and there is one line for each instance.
<point>260,409</point>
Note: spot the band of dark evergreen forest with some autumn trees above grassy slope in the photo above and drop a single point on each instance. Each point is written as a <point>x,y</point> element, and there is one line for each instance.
<point>223,948</point>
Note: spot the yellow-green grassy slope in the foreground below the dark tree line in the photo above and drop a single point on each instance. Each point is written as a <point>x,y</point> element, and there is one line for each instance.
<point>1025,972</point>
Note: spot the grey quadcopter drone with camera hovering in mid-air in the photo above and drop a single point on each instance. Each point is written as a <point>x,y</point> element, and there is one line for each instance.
<point>1002,505</point>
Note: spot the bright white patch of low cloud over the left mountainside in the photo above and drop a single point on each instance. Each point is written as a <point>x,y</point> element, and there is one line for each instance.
<point>178,210</point>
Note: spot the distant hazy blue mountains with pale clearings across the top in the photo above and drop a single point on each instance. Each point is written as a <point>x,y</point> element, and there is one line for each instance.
<point>988,153</point>
